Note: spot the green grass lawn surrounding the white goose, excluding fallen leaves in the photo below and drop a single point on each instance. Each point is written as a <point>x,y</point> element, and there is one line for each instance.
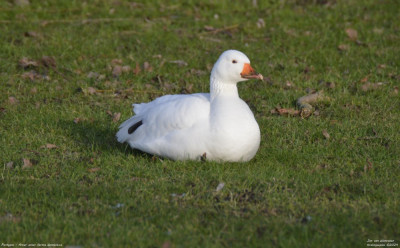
<point>301,189</point>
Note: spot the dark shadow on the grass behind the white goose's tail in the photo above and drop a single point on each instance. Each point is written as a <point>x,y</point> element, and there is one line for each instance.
<point>95,135</point>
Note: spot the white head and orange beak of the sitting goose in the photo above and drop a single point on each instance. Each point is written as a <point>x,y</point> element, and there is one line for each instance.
<point>232,67</point>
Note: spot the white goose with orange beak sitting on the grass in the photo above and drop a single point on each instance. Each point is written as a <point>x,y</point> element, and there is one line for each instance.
<point>216,125</point>
